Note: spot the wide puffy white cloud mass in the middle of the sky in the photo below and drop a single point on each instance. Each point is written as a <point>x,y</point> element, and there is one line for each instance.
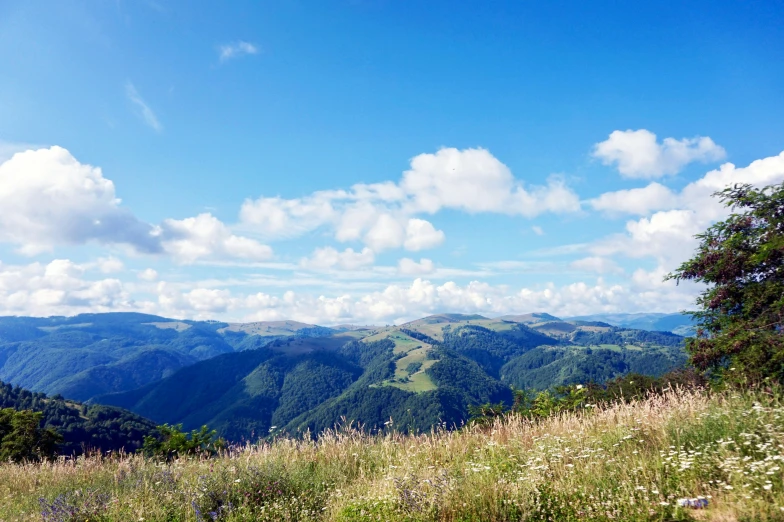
<point>384,215</point>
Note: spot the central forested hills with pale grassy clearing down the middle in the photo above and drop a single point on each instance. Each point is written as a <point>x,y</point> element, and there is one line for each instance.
<point>410,377</point>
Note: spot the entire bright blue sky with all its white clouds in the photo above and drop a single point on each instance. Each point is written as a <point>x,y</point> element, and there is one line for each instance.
<point>373,161</point>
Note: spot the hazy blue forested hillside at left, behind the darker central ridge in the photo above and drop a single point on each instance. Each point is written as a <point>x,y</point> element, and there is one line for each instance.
<point>94,354</point>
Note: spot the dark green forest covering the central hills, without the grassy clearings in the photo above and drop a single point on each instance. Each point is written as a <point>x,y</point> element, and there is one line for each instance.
<point>255,393</point>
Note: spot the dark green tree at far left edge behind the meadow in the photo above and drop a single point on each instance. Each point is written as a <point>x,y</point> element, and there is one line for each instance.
<point>22,439</point>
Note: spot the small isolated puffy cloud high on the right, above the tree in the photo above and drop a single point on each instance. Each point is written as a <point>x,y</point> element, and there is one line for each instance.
<point>637,154</point>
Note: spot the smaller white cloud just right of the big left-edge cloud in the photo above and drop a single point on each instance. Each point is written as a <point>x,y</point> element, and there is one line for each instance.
<point>204,237</point>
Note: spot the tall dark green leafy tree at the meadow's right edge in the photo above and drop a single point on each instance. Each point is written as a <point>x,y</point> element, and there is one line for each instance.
<point>741,259</point>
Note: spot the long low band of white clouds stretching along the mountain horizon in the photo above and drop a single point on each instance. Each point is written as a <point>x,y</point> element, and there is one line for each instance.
<point>62,287</point>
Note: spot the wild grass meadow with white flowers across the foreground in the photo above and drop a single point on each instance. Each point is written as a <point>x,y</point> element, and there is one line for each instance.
<point>631,462</point>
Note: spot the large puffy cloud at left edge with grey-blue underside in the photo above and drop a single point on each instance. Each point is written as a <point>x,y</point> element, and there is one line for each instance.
<point>48,198</point>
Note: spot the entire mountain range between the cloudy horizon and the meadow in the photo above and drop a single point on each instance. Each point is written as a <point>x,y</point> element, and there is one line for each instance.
<point>252,379</point>
